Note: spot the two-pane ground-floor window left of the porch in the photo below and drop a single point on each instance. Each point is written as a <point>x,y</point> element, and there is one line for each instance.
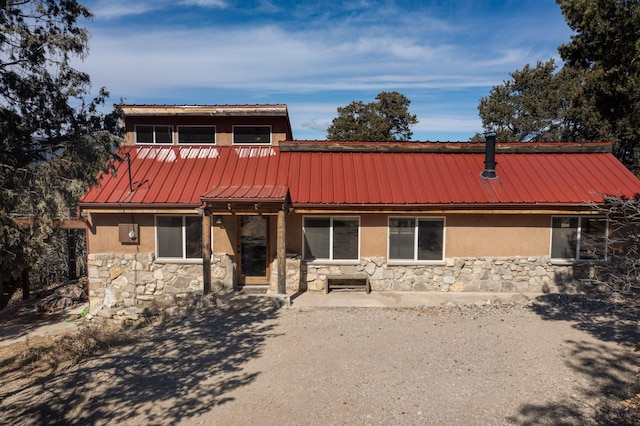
<point>179,237</point>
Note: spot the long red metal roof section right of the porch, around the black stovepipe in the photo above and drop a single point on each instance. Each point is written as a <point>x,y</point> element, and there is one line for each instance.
<point>403,178</point>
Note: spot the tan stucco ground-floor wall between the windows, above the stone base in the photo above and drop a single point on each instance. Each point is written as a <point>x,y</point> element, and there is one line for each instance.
<point>466,235</point>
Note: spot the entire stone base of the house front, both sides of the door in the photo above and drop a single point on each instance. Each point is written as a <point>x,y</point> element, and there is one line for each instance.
<point>134,281</point>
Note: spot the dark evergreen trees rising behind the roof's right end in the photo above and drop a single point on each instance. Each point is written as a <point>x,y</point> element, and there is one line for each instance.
<point>594,96</point>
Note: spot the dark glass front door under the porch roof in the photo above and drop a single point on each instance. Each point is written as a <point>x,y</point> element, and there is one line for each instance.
<point>254,250</point>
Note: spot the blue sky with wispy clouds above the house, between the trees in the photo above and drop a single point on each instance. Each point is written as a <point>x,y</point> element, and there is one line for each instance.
<point>315,56</point>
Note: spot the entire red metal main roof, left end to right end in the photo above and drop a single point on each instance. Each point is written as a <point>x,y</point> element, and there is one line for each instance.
<point>169,176</point>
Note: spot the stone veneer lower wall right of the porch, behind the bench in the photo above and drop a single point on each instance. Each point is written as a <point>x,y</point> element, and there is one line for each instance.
<point>488,274</point>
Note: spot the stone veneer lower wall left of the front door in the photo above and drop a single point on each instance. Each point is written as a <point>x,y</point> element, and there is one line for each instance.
<point>137,279</point>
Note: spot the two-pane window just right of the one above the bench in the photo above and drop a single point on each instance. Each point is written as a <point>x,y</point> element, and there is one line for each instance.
<point>416,239</point>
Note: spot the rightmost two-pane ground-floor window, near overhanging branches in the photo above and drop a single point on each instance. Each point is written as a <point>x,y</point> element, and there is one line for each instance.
<point>578,238</point>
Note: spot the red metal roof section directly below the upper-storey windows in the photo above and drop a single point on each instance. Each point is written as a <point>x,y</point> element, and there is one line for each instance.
<point>180,175</point>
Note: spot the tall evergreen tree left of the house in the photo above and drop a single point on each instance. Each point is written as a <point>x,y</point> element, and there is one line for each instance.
<point>52,140</point>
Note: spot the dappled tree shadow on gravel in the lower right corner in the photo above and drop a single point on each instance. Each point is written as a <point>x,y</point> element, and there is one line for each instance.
<point>610,370</point>
